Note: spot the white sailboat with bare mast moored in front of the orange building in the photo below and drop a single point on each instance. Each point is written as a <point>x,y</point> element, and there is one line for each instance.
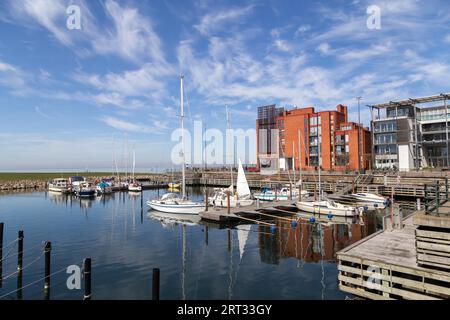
<point>326,206</point>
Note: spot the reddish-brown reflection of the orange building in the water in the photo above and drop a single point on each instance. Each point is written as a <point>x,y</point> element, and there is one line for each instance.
<point>308,242</point>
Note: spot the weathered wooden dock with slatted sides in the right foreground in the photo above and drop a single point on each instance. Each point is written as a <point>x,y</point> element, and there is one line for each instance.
<point>387,265</point>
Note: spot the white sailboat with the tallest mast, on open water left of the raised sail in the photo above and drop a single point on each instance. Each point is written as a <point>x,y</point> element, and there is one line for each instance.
<point>170,202</point>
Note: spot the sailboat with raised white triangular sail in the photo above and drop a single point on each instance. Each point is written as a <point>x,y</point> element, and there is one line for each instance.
<point>242,197</point>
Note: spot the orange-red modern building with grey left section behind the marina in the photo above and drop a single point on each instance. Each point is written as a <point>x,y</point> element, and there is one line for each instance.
<point>303,138</point>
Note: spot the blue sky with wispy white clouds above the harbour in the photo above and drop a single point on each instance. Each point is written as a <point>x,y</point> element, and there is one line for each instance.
<point>71,98</point>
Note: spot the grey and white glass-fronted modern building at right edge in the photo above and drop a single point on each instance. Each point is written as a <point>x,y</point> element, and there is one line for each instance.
<point>411,134</point>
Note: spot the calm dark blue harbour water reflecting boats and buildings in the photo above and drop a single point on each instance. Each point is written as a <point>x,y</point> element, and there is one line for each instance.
<point>126,242</point>
